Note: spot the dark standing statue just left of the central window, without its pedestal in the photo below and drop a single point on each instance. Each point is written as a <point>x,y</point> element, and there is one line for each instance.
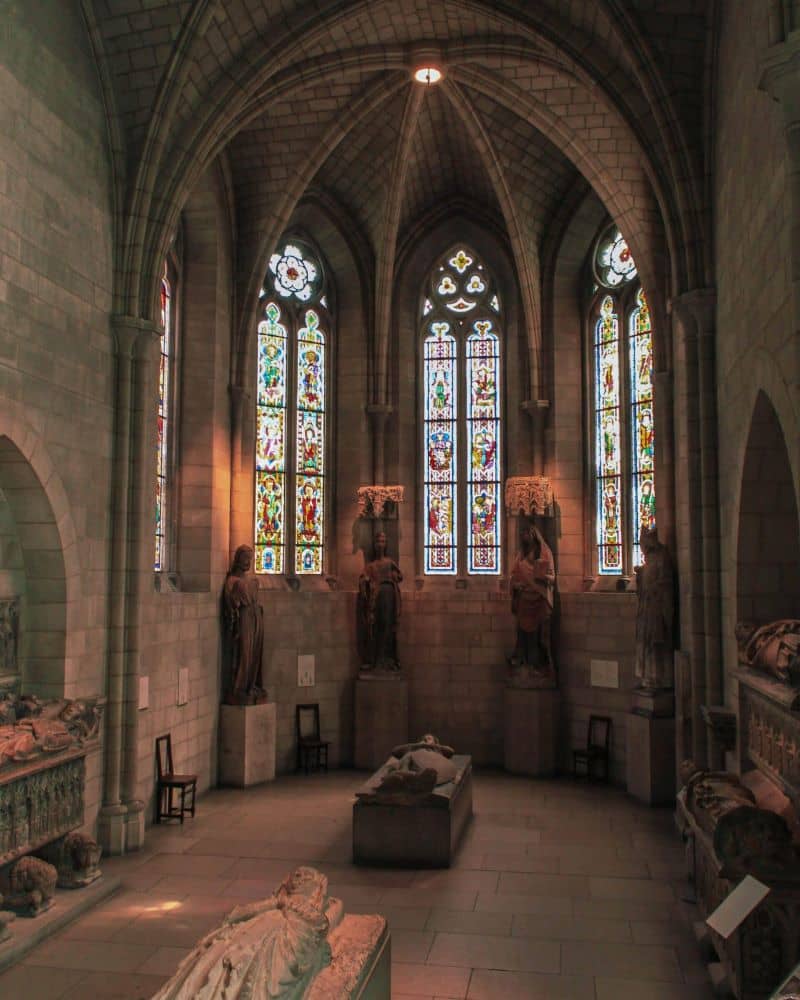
<point>379,610</point>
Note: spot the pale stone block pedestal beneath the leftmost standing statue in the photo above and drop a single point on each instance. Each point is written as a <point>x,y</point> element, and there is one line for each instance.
<point>247,744</point>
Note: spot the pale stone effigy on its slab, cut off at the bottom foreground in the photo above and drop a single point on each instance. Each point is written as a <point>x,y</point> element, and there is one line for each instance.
<point>297,943</point>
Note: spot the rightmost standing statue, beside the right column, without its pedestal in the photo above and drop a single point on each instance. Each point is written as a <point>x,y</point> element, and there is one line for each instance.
<point>655,641</point>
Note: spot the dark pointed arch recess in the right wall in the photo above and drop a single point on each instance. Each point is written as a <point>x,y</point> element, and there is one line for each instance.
<point>768,550</point>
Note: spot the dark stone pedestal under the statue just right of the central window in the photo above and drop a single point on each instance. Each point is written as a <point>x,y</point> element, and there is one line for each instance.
<point>531,724</point>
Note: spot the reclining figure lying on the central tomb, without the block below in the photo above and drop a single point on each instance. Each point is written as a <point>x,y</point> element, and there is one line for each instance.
<point>412,772</point>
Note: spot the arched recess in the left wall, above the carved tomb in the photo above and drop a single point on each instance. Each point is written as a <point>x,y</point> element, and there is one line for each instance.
<point>33,569</point>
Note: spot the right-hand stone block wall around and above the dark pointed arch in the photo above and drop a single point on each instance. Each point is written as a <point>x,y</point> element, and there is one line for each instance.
<point>755,340</point>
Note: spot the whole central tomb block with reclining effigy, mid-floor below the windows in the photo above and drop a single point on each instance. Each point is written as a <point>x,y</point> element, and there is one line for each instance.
<point>415,808</point>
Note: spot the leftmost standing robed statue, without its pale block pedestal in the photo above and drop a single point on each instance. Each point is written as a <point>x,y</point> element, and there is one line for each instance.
<point>244,621</point>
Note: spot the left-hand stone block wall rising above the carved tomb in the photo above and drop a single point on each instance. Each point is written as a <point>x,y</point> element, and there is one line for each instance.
<point>56,350</point>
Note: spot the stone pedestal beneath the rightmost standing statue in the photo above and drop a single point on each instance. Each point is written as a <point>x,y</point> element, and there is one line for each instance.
<point>650,748</point>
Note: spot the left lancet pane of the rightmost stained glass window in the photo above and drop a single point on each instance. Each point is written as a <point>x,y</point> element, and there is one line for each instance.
<point>607,444</point>
